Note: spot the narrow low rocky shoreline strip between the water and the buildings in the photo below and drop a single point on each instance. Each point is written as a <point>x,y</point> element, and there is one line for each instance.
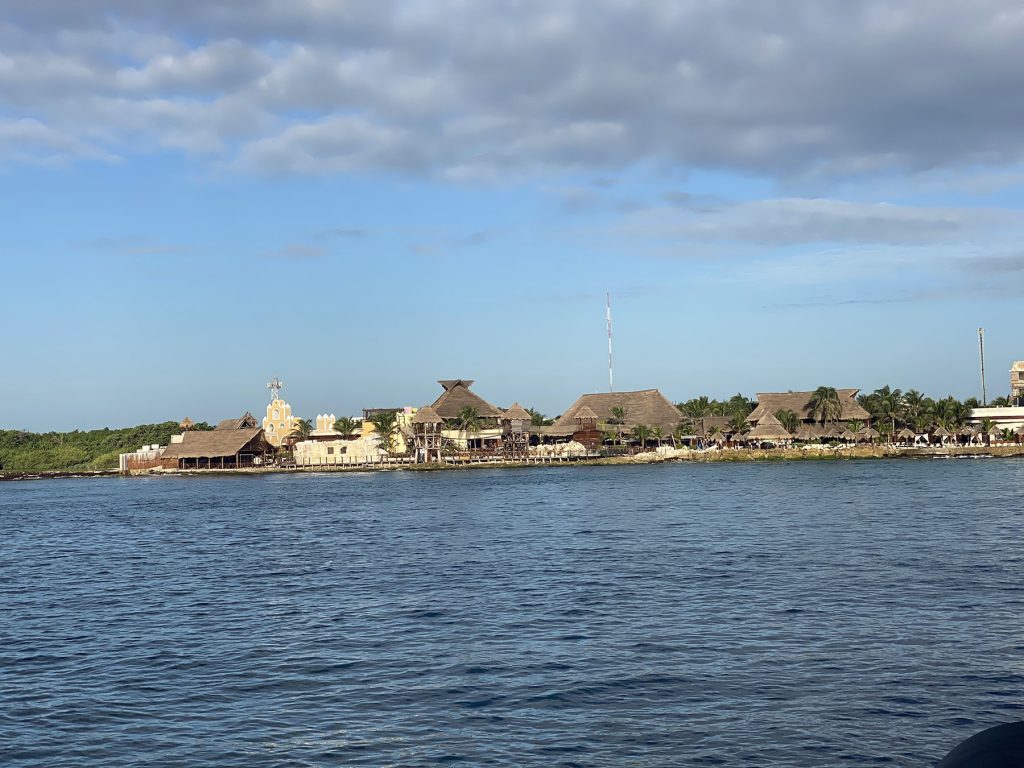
<point>680,456</point>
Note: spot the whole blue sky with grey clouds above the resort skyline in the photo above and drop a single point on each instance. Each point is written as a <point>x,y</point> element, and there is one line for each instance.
<point>828,194</point>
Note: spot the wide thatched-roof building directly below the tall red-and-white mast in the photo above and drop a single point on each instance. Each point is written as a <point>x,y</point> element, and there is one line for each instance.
<point>592,416</point>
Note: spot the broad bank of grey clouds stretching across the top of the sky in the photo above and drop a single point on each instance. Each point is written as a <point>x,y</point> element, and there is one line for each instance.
<point>489,91</point>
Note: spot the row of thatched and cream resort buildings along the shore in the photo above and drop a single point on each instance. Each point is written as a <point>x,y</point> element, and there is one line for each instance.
<point>461,424</point>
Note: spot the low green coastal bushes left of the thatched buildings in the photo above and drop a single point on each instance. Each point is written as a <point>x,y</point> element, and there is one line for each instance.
<point>93,450</point>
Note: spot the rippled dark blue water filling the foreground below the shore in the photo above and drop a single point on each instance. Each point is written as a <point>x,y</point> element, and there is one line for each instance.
<point>812,615</point>
